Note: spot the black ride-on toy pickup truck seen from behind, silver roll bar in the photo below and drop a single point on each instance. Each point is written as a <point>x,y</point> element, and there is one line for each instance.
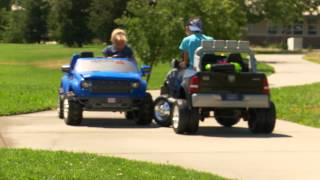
<point>222,84</point>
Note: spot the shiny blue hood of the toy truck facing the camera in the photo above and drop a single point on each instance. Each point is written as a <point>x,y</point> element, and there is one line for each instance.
<point>111,75</point>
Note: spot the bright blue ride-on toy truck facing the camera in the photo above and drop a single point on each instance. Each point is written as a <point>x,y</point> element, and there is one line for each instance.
<point>104,84</point>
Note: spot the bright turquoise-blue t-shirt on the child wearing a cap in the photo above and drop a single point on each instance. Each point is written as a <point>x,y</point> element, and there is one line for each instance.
<point>191,43</point>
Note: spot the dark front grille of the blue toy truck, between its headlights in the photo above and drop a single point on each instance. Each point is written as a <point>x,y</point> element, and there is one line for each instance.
<point>110,86</point>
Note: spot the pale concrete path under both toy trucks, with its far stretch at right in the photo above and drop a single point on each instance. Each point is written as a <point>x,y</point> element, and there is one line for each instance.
<point>292,152</point>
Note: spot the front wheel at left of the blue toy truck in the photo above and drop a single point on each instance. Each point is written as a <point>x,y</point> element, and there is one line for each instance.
<point>72,112</point>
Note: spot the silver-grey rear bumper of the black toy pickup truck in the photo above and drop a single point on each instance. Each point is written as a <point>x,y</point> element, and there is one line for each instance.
<point>221,101</point>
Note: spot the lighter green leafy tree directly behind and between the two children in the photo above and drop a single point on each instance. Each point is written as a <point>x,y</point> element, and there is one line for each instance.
<point>156,31</point>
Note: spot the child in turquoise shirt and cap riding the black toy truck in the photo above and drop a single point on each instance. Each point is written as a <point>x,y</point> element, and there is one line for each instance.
<point>191,43</point>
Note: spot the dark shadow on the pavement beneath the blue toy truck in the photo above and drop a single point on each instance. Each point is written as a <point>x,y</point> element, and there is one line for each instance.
<point>114,123</point>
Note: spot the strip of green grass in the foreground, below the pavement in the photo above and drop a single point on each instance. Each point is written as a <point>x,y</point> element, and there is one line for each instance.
<point>27,164</point>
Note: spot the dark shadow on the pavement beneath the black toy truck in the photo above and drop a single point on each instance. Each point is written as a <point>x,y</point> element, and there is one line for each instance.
<point>235,132</point>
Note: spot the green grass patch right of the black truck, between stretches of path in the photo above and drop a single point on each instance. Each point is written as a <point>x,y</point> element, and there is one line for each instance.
<point>300,104</point>
